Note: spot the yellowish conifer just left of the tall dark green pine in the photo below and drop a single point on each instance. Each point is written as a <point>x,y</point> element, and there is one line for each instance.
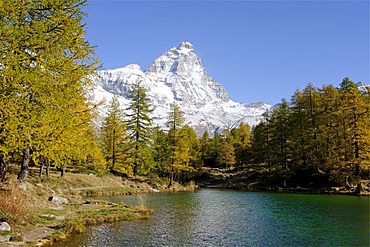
<point>115,141</point>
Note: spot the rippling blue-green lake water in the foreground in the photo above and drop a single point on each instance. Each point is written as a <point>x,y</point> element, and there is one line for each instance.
<point>212,217</point>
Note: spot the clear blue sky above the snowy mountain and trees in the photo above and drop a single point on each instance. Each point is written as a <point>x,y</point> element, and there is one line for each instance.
<point>258,50</point>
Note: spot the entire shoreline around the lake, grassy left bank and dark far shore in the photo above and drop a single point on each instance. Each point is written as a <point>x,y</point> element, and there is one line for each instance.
<point>53,221</point>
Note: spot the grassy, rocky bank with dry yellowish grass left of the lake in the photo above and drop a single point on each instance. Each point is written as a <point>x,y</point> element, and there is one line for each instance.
<point>35,220</point>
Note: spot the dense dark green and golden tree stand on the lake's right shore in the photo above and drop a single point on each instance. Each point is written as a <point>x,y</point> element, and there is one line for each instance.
<point>322,138</point>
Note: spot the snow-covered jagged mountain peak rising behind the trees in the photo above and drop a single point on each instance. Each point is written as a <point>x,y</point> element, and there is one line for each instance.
<point>179,76</point>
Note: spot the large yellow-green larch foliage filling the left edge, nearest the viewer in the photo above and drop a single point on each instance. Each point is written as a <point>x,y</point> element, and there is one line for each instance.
<point>44,67</point>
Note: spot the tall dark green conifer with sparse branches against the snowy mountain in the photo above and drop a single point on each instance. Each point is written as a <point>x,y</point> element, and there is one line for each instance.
<point>139,126</point>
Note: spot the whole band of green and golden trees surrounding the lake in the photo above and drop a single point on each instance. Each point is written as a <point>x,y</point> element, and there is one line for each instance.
<point>320,138</point>
